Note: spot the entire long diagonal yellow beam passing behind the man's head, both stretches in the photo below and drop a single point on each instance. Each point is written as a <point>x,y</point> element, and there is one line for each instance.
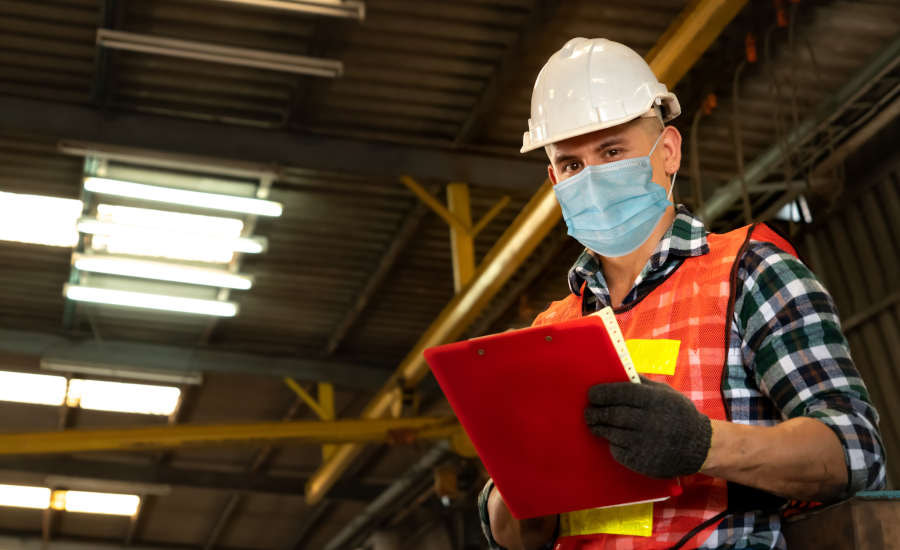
<point>512,249</point>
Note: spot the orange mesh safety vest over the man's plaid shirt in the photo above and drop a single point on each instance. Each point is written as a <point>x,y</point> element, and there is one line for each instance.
<point>694,305</point>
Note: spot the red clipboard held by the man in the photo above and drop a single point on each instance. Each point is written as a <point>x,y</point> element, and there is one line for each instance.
<point>521,395</point>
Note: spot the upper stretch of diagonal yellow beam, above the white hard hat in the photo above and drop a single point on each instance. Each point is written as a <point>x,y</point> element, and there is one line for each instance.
<point>691,34</point>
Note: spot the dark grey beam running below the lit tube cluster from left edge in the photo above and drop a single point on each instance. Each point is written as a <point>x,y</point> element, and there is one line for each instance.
<point>171,359</point>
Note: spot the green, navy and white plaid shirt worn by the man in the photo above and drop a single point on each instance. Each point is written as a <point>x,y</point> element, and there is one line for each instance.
<point>787,357</point>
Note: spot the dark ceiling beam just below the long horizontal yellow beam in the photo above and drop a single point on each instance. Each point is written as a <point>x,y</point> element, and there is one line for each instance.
<point>162,474</point>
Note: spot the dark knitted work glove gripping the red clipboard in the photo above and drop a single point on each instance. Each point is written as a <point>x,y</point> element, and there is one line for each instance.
<point>651,428</point>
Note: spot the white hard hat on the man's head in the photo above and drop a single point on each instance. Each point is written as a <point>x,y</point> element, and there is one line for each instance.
<point>591,84</point>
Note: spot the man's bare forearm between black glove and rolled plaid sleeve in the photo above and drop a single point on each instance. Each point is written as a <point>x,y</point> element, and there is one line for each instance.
<point>800,458</point>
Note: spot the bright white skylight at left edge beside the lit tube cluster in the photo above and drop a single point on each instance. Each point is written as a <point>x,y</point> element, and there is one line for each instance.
<point>37,219</point>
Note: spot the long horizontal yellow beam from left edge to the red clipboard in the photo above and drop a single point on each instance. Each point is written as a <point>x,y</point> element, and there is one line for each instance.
<point>400,430</point>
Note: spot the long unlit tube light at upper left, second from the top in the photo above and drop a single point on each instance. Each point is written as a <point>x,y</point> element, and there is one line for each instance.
<point>229,55</point>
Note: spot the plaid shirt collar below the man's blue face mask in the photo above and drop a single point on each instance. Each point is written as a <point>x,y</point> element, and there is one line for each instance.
<point>686,237</point>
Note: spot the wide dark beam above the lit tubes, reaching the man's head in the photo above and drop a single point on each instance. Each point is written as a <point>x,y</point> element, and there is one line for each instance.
<point>384,160</point>
